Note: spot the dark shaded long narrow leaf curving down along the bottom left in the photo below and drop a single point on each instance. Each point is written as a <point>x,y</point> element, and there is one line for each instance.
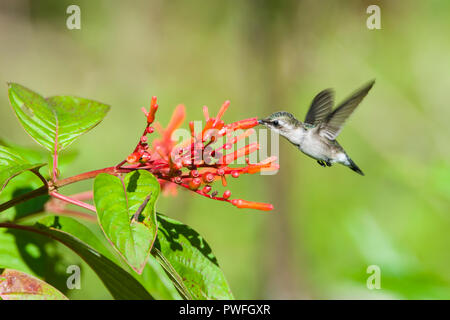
<point>120,283</point>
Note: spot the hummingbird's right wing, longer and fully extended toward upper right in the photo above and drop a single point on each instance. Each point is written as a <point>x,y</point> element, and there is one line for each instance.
<point>332,125</point>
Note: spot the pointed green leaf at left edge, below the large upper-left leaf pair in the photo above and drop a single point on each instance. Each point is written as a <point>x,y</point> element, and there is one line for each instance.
<point>12,164</point>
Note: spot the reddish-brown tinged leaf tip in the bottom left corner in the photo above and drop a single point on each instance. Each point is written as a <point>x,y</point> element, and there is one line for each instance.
<point>17,285</point>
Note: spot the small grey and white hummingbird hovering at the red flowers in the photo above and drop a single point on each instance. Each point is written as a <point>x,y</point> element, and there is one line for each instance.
<point>316,136</point>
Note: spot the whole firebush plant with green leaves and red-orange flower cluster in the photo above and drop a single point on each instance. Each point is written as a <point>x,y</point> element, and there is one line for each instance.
<point>146,255</point>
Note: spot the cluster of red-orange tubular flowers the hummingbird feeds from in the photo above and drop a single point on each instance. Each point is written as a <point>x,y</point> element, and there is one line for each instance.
<point>194,163</point>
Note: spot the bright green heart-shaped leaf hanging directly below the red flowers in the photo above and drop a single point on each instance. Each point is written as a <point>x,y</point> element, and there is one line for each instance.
<point>118,203</point>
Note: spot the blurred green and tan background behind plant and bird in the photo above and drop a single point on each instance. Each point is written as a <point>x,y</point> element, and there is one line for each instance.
<point>329,224</point>
